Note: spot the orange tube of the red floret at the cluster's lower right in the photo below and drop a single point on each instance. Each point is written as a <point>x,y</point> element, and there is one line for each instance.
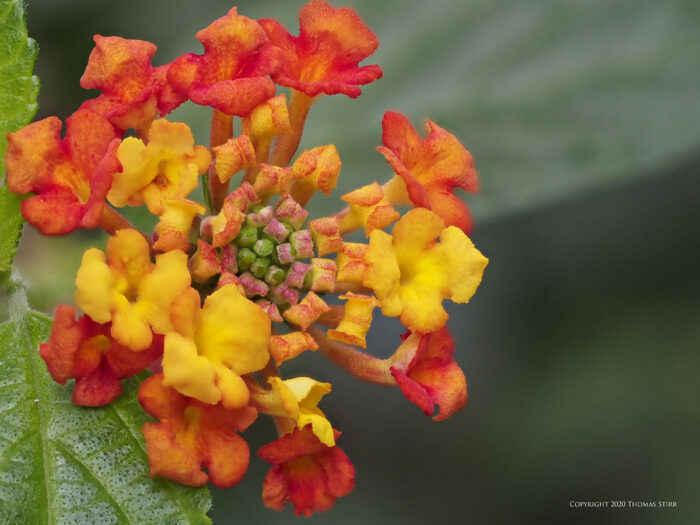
<point>355,362</point>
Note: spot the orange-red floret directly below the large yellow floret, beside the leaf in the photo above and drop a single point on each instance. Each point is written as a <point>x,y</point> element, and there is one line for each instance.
<point>192,435</point>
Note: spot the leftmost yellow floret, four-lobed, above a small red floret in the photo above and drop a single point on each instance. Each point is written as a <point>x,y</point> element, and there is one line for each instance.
<point>129,290</point>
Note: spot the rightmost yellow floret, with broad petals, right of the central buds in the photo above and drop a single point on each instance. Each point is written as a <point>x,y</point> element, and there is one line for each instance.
<point>411,273</point>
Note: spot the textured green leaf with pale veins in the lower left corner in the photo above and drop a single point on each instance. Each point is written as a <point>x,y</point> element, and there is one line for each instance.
<point>60,463</point>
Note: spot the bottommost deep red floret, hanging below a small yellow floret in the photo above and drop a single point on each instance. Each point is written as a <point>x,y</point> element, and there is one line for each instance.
<point>306,473</point>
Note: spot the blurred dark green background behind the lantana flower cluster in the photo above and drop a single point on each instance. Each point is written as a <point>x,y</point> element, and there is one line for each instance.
<point>581,346</point>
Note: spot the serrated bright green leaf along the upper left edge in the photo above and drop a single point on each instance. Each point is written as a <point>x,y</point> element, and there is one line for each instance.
<point>18,92</point>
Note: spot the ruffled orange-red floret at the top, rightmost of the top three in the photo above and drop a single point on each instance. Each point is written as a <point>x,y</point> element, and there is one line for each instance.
<point>324,57</point>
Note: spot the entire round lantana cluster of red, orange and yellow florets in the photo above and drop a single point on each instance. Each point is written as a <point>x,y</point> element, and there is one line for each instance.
<point>221,294</point>
